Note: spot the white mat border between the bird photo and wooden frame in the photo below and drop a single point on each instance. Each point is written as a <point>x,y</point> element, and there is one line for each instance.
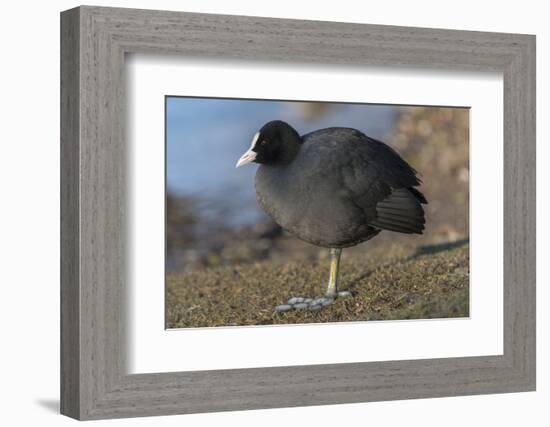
<point>153,349</point>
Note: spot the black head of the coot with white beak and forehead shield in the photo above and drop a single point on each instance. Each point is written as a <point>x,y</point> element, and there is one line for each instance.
<point>275,143</point>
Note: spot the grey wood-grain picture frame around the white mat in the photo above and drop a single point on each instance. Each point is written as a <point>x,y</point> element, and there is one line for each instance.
<point>94,41</point>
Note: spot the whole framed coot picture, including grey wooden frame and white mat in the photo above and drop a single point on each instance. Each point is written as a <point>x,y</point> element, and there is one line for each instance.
<point>262,213</point>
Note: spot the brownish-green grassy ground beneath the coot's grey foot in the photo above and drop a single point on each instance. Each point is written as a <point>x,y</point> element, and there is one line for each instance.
<point>402,283</point>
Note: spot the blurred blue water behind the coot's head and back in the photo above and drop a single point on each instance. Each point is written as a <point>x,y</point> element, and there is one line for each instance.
<point>205,137</point>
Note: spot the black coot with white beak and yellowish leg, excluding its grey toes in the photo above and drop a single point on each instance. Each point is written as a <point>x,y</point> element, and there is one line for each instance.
<point>334,187</point>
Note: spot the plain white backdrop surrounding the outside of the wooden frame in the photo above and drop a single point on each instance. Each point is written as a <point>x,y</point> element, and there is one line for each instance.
<point>29,218</point>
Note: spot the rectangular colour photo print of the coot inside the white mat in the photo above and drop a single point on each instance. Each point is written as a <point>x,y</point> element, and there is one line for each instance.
<point>221,228</point>
